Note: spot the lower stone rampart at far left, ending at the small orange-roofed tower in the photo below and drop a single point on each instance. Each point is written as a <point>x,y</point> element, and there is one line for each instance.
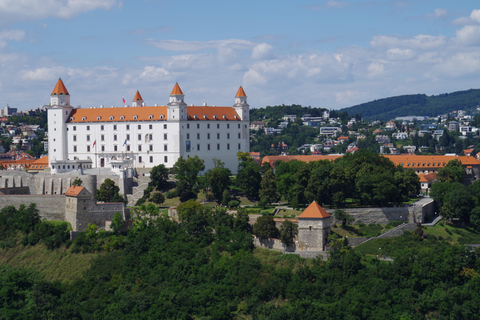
<point>50,207</point>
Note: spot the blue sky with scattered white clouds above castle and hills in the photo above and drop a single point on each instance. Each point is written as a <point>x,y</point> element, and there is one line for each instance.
<point>330,54</point>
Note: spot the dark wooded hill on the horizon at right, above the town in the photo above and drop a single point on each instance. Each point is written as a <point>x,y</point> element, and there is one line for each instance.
<point>416,104</point>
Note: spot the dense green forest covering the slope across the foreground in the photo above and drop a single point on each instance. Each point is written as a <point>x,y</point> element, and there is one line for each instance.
<point>205,267</point>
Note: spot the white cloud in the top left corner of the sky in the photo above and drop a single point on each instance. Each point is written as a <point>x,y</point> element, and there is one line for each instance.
<point>18,10</point>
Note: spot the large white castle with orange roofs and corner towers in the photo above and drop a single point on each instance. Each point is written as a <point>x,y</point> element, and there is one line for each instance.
<point>143,137</point>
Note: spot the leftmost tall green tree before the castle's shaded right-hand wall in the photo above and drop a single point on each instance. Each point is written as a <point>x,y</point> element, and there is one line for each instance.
<point>187,175</point>
